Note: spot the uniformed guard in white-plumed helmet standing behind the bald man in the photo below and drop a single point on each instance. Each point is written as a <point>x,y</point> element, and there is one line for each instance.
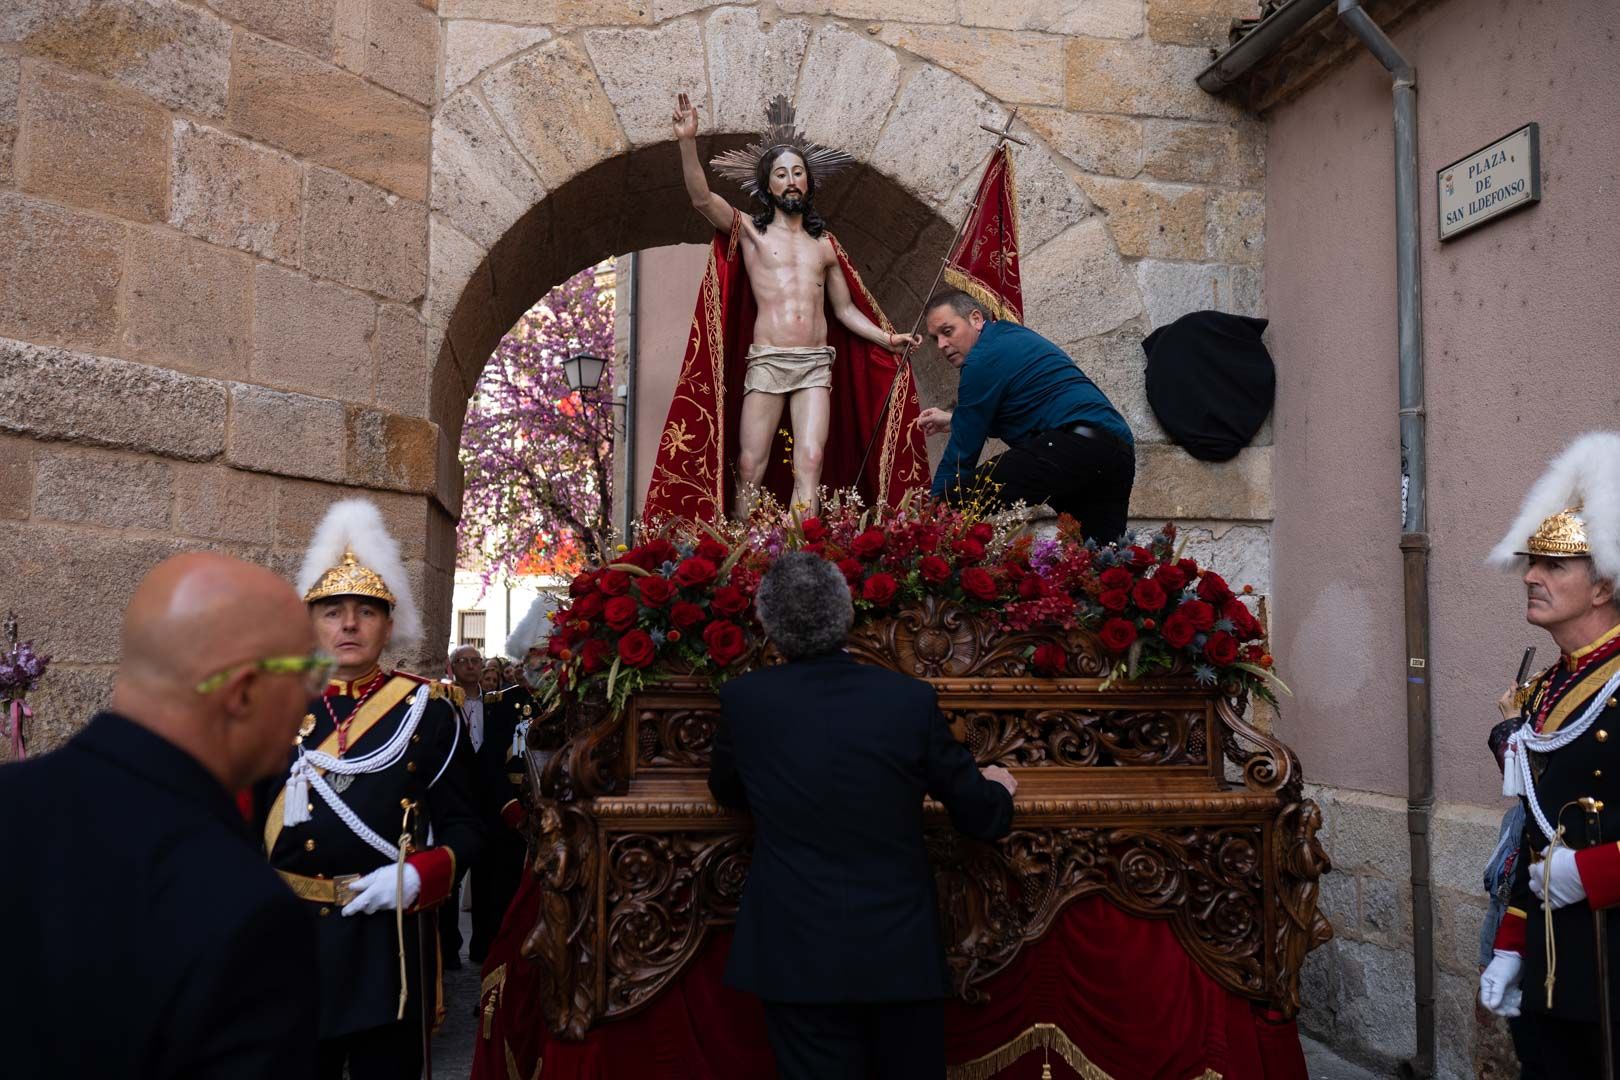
<point>377,809</point>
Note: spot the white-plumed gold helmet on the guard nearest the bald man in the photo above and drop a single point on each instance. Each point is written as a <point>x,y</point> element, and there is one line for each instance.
<point>354,555</point>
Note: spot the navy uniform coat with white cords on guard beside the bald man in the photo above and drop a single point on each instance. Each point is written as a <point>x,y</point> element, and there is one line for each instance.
<point>359,963</point>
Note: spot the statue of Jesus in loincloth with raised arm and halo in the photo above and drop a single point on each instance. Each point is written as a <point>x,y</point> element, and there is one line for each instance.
<point>796,274</point>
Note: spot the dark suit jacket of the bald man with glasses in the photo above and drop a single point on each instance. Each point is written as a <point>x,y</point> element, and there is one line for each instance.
<point>143,935</point>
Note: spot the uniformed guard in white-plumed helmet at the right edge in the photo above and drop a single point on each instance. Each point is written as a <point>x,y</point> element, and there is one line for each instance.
<point>1556,959</point>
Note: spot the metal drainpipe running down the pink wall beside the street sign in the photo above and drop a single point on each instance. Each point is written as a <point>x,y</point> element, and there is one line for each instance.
<point>1415,519</point>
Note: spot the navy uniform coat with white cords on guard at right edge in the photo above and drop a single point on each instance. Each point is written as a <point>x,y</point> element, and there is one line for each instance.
<point>1590,767</point>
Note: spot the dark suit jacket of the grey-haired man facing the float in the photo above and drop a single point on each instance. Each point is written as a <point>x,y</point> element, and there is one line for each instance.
<point>833,760</point>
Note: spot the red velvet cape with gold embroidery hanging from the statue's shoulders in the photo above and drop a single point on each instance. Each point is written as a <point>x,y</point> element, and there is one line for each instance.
<point>694,469</point>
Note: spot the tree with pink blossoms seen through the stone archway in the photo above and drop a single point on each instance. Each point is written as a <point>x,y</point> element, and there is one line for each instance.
<point>539,457</point>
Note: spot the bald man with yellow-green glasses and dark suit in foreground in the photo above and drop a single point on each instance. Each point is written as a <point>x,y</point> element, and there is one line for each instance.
<point>147,937</point>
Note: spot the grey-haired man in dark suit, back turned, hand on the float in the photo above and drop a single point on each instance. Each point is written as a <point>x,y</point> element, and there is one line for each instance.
<point>840,930</point>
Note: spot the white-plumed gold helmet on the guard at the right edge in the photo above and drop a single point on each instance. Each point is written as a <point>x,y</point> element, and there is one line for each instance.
<point>1574,511</point>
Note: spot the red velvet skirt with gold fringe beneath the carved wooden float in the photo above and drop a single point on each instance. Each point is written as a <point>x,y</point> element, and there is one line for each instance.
<point>1102,995</point>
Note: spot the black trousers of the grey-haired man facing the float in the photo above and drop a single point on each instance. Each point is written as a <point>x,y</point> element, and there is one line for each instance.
<point>858,1042</point>
